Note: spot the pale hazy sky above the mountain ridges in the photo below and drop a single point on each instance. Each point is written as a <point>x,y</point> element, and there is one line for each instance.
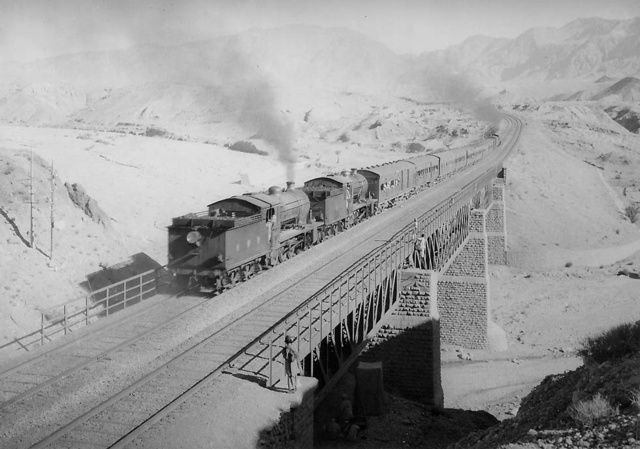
<point>32,29</point>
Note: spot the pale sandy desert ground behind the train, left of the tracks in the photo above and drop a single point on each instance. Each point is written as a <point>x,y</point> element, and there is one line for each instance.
<point>139,183</point>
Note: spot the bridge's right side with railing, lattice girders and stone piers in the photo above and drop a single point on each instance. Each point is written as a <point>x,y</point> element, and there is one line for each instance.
<point>391,290</point>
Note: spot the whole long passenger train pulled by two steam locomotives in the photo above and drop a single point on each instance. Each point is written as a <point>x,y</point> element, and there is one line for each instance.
<point>243,235</point>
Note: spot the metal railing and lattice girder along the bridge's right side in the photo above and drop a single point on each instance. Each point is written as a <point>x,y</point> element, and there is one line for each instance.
<point>345,302</point>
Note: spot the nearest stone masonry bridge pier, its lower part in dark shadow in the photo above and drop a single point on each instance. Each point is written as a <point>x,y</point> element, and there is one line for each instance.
<point>408,344</point>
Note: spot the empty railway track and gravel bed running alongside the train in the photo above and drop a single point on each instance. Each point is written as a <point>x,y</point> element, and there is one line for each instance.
<point>146,382</point>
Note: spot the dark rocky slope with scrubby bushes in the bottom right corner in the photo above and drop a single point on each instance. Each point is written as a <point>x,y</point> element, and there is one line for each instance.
<point>546,418</point>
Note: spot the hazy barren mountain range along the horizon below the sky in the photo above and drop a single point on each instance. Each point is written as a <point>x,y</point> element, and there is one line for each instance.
<point>201,82</point>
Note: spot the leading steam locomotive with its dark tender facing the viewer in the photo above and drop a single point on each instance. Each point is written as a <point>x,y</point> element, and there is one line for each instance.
<point>235,233</point>
